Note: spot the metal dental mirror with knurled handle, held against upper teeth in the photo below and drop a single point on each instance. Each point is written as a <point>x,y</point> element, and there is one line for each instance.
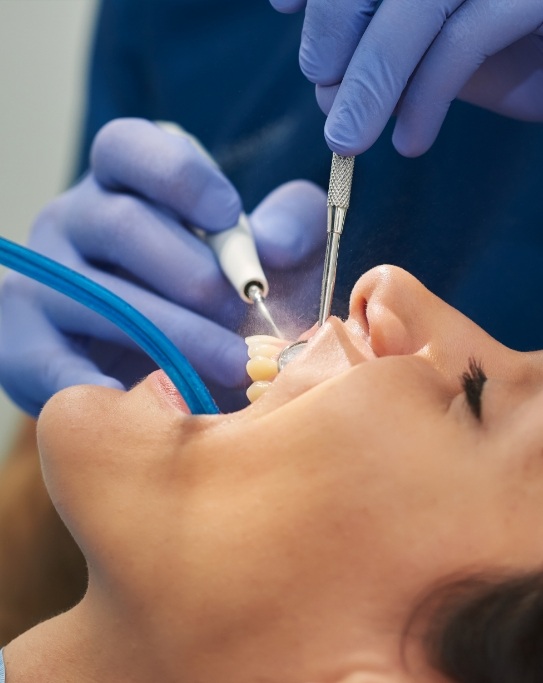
<point>339,195</point>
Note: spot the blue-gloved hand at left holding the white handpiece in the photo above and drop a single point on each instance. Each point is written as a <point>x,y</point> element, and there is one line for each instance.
<point>123,226</point>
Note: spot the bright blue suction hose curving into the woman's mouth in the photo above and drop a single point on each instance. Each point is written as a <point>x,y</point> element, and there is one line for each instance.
<point>139,328</point>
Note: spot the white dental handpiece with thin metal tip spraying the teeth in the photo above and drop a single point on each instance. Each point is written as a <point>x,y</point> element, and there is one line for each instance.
<point>234,248</point>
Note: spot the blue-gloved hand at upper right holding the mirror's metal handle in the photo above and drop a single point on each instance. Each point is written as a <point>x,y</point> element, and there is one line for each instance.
<point>413,57</point>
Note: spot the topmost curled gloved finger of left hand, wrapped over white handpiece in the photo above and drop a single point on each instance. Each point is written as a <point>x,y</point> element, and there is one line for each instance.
<point>138,156</point>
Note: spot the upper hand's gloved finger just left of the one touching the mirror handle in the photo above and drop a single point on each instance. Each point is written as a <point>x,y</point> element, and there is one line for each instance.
<point>331,32</point>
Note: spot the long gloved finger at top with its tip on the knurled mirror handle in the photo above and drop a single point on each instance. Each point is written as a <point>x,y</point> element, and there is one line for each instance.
<point>394,43</point>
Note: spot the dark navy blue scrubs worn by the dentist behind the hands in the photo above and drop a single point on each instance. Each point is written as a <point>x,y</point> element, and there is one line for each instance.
<point>466,218</point>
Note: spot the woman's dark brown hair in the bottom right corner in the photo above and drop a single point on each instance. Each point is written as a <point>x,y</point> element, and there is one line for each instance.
<point>486,628</point>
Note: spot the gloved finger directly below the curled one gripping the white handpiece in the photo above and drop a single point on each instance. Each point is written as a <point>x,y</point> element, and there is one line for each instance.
<point>126,232</point>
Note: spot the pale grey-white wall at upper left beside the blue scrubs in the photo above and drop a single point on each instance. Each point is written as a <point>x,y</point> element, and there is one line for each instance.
<point>43,52</point>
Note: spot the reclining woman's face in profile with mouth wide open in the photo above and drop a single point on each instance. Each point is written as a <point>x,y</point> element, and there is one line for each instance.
<point>359,479</point>
